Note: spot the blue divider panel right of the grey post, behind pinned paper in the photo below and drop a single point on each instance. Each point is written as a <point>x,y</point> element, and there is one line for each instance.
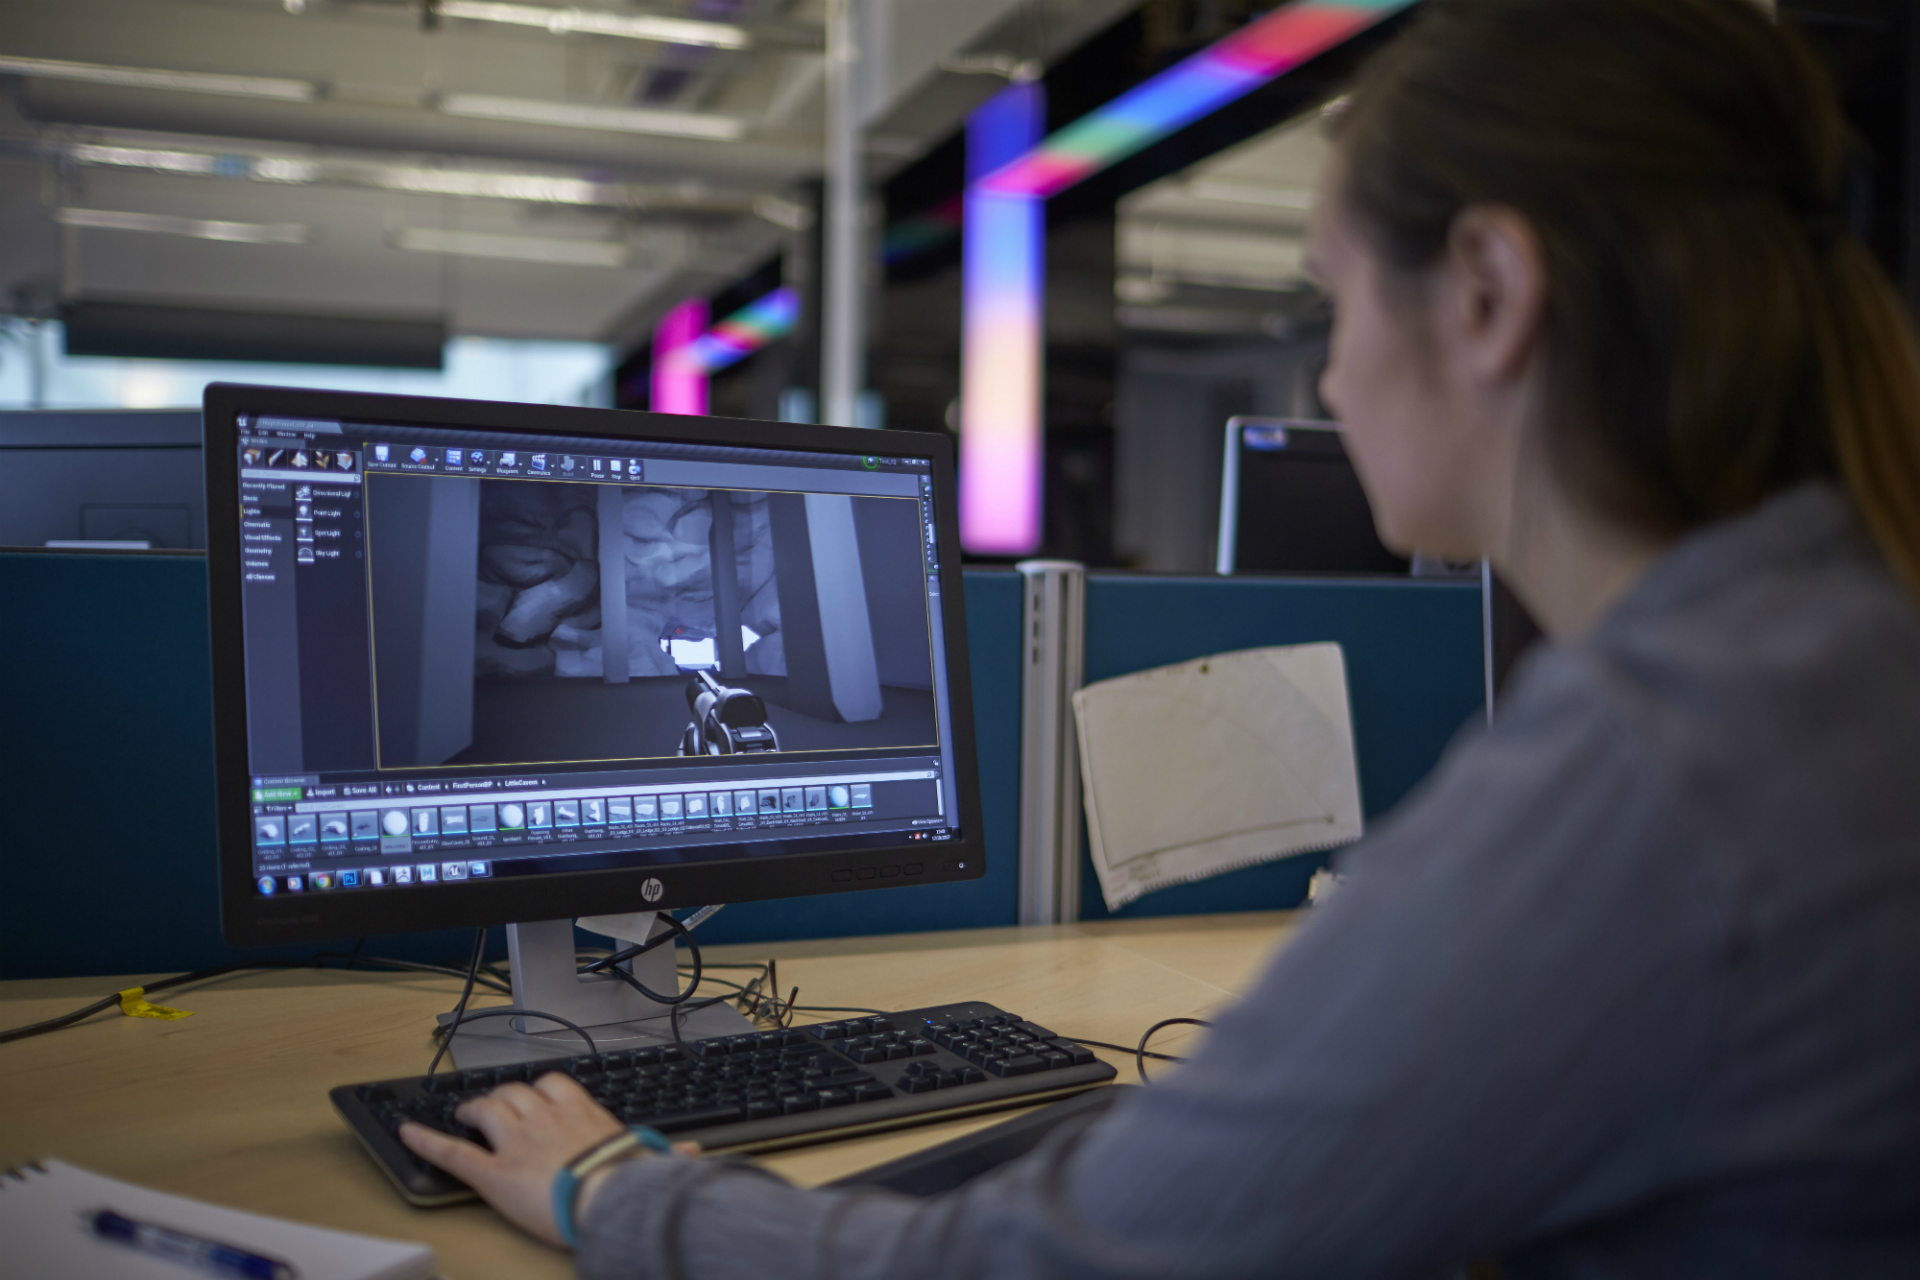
<point>1412,667</point>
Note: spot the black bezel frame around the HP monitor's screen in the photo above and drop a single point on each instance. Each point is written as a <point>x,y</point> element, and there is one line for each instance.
<point>254,920</point>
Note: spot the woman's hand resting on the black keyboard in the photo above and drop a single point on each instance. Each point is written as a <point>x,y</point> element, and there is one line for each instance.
<point>535,1131</point>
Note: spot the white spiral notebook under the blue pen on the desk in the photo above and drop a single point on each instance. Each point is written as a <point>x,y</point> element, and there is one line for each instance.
<point>45,1214</point>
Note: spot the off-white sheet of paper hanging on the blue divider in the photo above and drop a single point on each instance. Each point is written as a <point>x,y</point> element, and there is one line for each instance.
<point>1216,765</point>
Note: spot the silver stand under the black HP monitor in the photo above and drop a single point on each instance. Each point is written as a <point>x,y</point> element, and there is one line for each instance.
<point>619,1018</point>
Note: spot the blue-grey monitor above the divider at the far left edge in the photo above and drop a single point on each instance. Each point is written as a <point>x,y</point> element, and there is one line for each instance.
<point>103,477</point>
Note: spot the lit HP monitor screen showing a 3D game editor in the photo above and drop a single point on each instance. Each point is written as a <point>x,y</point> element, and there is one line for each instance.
<point>485,655</point>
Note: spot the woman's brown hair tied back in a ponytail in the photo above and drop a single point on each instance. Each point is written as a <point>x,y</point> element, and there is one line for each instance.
<point>1714,331</point>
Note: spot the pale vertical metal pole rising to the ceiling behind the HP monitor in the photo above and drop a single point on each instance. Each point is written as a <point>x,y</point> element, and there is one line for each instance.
<point>844,277</point>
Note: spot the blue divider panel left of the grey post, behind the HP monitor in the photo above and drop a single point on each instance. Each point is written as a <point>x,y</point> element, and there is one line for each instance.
<point>107,782</point>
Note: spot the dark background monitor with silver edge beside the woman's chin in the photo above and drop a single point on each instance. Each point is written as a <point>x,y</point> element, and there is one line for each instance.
<point>1291,504</point>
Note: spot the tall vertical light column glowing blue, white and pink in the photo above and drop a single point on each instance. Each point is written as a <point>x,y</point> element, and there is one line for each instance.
<point>1001,343</point>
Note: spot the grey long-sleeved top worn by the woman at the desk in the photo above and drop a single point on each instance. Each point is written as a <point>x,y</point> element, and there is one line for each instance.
<point>1629,987</point>
